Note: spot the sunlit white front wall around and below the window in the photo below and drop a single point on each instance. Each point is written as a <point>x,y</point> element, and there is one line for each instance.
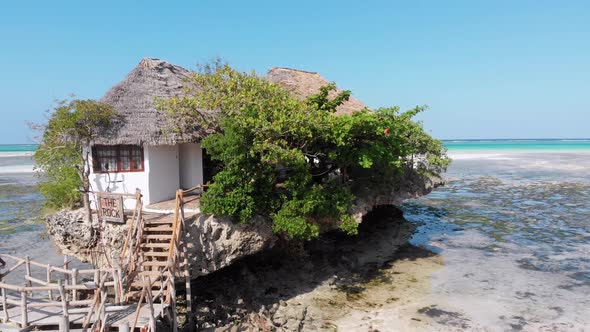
<point>124,182</point>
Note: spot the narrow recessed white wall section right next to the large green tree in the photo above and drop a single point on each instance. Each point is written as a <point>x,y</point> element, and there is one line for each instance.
<point>191,165</point>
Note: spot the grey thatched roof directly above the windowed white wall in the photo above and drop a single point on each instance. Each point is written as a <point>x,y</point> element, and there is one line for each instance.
<point>134,100</point>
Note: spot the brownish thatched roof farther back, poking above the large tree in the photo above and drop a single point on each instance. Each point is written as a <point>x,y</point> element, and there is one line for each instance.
<point>305,83</point>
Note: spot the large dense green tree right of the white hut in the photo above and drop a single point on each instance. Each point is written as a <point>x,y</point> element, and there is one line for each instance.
<point>295,161</point>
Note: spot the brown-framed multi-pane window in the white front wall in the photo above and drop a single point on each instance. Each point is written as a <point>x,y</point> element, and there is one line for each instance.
<point>117,158</point>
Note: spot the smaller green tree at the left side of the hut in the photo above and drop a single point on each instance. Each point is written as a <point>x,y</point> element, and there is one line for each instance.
<point>61,162</point>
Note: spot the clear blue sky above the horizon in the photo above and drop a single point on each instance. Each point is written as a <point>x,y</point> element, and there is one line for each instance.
<point>487,69</point>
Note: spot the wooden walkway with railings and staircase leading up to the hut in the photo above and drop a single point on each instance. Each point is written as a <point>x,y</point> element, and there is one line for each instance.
<point>129,297</point>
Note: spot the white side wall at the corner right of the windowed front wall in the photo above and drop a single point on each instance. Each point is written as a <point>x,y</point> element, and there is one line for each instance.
<point>164,177</point>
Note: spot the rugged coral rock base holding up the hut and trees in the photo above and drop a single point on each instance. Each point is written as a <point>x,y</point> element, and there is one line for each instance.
<point>213,243</point>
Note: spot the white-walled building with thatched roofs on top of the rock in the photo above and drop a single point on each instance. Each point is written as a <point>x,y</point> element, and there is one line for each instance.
<point>139,150</point>
